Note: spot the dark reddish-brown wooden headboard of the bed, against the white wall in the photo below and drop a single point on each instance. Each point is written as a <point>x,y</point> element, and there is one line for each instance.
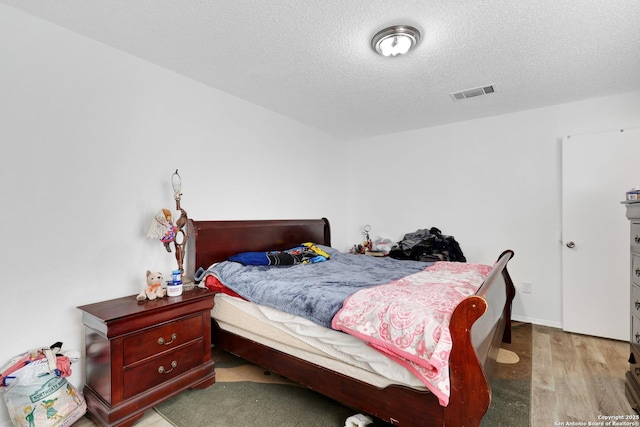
<point>215,241</point>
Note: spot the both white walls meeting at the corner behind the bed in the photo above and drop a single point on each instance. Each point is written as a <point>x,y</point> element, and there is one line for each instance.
<point>90,136</point>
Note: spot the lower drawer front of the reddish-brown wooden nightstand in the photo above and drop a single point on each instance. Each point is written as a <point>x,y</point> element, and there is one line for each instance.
<point>160,369</point>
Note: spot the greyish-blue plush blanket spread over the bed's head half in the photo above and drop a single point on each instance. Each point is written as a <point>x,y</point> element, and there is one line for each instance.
<point>313,291</point>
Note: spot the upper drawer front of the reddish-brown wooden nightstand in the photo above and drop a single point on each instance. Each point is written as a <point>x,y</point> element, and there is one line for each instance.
<point>162,338</point>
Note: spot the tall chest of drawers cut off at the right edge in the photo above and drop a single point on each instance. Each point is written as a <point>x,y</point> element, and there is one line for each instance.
<point>632,385</point>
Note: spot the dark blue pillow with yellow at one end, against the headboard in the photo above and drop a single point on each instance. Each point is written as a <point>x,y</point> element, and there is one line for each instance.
<point>307,253</point>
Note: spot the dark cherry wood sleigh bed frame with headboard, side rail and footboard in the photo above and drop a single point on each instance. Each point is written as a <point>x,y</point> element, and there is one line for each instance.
<point>478,325</point>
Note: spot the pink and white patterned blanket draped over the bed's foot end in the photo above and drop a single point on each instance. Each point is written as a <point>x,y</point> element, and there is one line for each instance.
<point>408,319</point>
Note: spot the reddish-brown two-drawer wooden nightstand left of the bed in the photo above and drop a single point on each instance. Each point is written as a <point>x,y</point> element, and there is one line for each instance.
<point>140,353</point>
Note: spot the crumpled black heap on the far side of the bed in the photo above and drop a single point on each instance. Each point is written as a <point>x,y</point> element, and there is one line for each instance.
<point>428,245</point>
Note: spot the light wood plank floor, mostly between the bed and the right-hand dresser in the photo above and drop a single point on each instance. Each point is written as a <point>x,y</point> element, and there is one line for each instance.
<point>574,378</point>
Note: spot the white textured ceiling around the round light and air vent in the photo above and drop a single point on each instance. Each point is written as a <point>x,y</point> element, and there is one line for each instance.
<point>312,60</point>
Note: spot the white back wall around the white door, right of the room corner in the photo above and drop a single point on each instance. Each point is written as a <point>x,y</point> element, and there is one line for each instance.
<point>493,183</point>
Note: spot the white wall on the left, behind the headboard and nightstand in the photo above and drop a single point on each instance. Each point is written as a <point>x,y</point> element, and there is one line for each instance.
<point>89,139</point>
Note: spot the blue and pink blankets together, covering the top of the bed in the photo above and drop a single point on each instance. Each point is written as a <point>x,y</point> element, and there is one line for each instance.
<point>404,316</point>
